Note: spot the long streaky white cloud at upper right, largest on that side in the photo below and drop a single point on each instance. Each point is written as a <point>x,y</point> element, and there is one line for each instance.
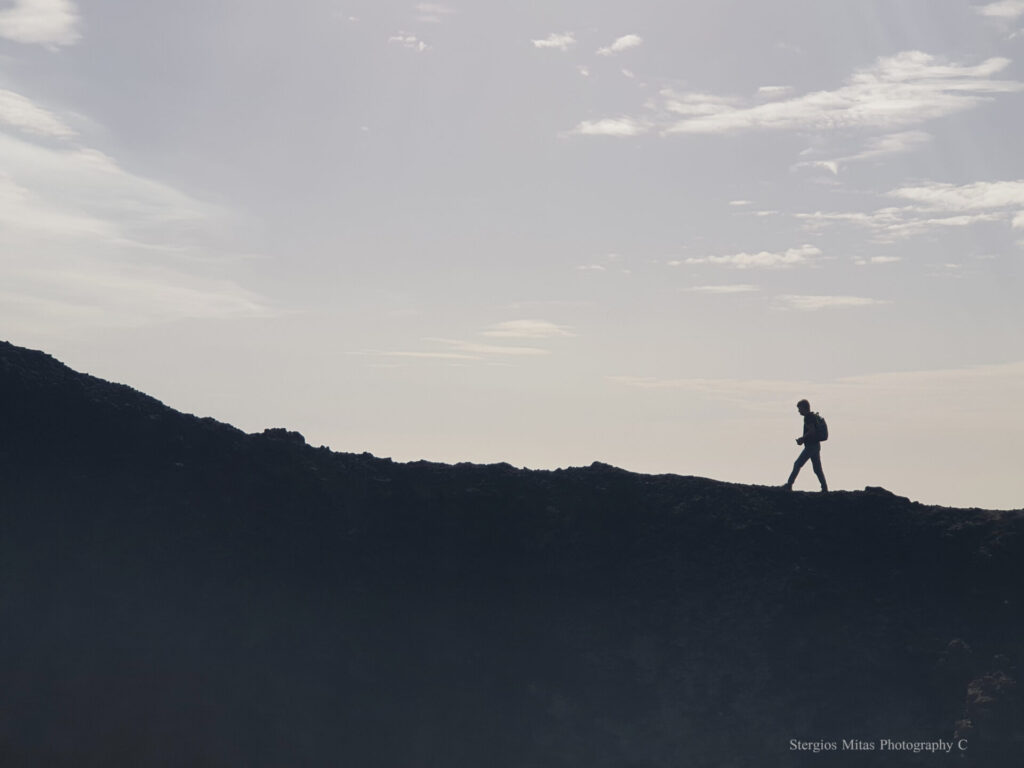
<point>897,92</point>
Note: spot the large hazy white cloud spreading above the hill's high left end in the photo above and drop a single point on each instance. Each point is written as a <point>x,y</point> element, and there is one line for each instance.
<point>90,244</point>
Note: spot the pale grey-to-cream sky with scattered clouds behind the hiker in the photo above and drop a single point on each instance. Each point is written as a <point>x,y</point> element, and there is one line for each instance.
<point>545,234</point>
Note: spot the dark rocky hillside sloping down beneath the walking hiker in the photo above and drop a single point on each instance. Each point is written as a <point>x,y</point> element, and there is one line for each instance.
<point>175,592</point>
